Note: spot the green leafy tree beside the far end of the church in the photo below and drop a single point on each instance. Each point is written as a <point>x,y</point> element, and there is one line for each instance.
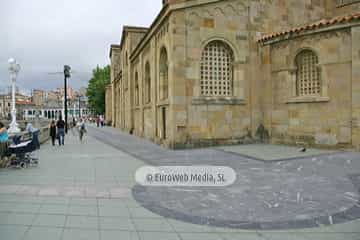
<point>96,89</point>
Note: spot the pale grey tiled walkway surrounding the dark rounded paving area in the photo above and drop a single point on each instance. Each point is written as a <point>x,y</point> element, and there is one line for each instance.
<point>84,191</point>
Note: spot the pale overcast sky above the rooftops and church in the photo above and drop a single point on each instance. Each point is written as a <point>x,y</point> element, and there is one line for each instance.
<point>43,35</point>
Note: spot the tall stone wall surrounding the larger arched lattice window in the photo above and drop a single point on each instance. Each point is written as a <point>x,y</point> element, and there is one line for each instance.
<point>198,120</point>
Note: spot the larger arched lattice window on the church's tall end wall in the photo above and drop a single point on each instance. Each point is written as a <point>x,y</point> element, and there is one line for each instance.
<point>217,70</point>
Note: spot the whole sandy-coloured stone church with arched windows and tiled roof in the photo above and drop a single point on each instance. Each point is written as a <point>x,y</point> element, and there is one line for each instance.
<point>226,71</point>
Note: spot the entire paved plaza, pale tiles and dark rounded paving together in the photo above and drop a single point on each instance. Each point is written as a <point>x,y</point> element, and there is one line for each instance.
<point>88,191</point>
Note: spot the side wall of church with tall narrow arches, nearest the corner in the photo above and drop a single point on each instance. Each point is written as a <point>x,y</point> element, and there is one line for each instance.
<point>147,122</point>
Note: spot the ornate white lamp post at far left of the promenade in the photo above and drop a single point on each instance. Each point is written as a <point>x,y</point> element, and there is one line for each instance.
<point>14,69</point>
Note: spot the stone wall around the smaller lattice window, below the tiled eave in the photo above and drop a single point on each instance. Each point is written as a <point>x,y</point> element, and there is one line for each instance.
<point>320,120</point>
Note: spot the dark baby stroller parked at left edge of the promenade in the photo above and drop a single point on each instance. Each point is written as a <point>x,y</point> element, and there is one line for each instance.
<point>22,150</point>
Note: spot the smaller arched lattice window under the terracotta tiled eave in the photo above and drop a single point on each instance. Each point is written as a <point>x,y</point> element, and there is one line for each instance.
<point>307,74</point>
